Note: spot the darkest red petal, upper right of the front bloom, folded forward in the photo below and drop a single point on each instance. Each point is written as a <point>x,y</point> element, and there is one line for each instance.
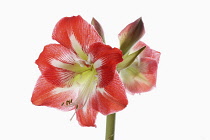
<point>105,60</point>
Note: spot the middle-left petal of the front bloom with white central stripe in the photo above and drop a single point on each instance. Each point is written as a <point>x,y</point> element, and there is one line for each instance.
<point>57,64</point>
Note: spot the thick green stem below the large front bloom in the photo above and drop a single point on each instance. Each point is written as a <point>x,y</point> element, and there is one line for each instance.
<point>110,126</point>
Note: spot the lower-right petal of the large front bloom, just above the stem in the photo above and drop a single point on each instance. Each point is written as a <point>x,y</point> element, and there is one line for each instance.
<point>110,99</point>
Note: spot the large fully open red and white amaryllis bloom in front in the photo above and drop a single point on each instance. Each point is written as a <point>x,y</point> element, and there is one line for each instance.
<point>79,73</point>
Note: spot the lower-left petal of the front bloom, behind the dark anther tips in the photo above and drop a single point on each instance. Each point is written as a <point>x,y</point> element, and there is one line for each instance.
<point>46,94</point>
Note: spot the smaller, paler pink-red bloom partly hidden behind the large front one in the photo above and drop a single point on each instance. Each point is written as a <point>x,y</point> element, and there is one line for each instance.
<point>141,75</point>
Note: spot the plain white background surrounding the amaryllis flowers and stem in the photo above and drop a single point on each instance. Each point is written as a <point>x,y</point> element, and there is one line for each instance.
<point>178,109</point>
